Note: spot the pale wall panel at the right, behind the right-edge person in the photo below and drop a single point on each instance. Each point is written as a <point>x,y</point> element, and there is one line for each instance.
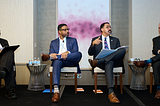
<point>145,20</point>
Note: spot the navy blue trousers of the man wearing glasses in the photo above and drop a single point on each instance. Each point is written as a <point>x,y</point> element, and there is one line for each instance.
<point>71,61</point>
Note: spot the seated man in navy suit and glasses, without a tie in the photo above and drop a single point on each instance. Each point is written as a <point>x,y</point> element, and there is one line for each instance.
<point>63,53</point>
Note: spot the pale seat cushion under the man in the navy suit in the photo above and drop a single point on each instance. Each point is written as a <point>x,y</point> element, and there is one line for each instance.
<point>65,69</point>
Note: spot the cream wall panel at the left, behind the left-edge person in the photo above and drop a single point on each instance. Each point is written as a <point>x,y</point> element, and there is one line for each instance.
<point>16,25</point>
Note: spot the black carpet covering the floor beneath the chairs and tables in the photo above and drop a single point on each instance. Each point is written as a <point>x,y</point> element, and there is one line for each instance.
<point>69,98</point>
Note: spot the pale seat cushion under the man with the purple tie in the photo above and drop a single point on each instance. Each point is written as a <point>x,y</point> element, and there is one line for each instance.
<point>115,70</point>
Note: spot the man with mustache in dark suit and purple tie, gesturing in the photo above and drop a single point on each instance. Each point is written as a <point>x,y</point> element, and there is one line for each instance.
<point>105,41</point>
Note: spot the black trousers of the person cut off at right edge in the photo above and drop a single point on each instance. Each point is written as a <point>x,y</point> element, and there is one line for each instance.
<point>156,68</point>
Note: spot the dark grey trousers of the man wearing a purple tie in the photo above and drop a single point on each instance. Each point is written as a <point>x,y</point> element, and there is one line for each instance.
<point>113,60</point>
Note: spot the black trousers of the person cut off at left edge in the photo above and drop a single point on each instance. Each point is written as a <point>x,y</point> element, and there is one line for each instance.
<point>7,62</point>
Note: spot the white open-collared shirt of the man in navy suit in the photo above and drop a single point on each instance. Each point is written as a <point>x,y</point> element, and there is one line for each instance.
<point>62,45</point>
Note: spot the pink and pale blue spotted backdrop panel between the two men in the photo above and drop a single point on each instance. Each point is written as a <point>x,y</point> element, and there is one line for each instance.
<point>83,17</point>
